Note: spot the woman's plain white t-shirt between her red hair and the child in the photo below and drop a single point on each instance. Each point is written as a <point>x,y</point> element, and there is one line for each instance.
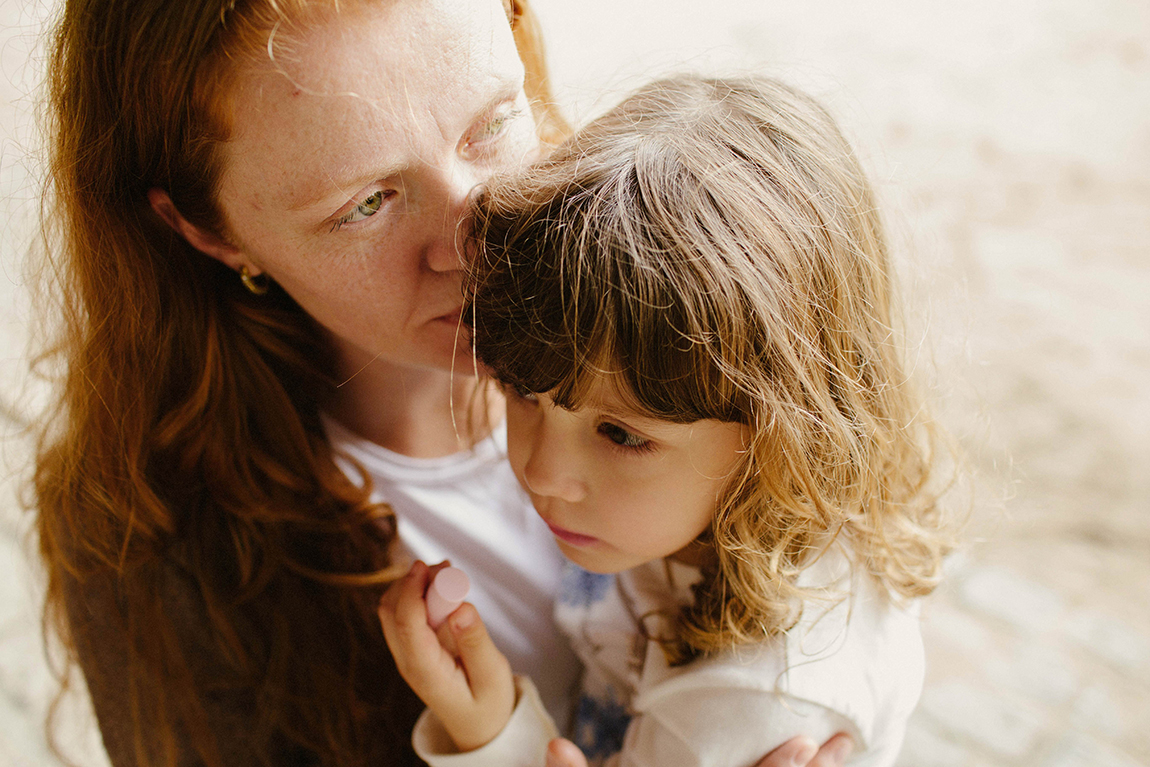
<point>467,508</point>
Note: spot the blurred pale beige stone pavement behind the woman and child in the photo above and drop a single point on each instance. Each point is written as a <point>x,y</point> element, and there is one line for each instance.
<point>1011,145</point>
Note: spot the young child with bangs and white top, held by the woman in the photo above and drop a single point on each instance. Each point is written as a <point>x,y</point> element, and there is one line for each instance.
<point>691,309</point>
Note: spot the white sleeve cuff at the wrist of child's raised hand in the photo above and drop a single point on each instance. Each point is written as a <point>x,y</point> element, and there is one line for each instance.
<point>523,743</point>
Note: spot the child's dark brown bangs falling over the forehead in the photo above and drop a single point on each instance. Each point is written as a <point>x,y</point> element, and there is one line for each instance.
<point>559,308</point>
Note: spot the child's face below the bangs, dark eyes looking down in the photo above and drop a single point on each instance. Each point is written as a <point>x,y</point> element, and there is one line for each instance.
<point>618,488</point>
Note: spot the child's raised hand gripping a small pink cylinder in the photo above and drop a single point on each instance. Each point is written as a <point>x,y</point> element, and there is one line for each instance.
<point>457,671</point>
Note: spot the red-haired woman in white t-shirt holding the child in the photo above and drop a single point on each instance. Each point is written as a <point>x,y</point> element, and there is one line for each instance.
<point>256,219</point>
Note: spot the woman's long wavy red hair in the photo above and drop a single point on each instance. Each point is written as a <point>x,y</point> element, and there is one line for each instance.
<point>190,510</point>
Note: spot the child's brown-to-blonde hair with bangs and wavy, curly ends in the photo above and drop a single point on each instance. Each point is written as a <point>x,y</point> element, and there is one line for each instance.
<point>717,246</point>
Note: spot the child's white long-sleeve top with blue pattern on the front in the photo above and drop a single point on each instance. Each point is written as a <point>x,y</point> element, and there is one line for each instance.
<point>854,664</point>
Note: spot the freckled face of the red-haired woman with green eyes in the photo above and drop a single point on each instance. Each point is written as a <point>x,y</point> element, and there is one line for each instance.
<point>354,152</point>
